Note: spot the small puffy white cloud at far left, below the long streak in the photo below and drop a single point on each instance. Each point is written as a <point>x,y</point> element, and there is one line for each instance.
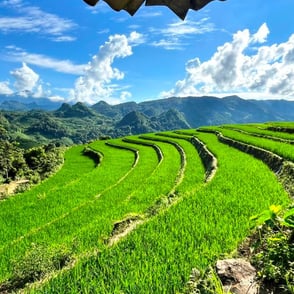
<point>25,78</point>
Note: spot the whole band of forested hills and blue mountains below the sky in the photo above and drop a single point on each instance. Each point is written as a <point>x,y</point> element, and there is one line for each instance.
<point>31,124</point>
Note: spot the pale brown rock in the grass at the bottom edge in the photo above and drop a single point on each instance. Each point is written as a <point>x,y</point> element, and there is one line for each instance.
<point>237,276</point>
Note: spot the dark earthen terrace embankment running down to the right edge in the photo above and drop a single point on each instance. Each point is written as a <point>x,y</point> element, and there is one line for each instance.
<point>282,168</point>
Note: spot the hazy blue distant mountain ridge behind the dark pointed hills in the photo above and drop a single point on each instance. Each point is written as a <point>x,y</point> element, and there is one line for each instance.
<point>205,110</point>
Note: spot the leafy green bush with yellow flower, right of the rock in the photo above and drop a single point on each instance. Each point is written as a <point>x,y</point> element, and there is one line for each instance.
<point>273,248</point>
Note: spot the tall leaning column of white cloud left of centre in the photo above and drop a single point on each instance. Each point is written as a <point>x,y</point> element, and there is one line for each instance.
<point>97,81</point>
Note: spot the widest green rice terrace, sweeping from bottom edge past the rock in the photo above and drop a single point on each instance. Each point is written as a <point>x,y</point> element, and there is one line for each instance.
<point>209,221</point>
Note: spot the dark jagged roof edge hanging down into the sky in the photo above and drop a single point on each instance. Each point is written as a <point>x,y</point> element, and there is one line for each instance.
<point>179,7</point>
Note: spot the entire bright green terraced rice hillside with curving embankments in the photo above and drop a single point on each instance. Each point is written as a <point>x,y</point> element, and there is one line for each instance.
<point>136,214</point>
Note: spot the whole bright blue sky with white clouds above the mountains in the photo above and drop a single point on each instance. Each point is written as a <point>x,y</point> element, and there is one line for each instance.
<point>66,50</point>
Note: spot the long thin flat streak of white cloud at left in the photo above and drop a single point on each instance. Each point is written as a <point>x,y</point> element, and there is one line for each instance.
<point>16,54</point>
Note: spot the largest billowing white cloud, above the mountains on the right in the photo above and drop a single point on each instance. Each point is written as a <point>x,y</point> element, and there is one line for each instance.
<point>269,69</point>
